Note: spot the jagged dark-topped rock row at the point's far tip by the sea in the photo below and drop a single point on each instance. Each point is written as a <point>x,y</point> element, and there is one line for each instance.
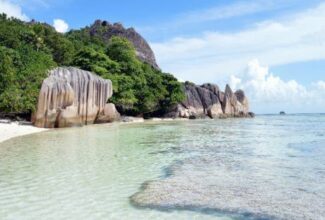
<point>208,100</point>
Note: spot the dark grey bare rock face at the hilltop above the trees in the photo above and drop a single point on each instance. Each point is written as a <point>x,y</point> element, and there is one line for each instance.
<point>104,30</point>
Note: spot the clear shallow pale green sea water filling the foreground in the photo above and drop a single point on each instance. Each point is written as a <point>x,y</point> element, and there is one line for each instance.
<point>270,167</point>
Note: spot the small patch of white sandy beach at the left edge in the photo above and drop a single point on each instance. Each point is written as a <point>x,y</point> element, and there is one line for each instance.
<point>14,129</point>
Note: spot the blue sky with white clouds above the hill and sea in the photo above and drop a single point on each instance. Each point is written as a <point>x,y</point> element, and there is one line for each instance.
<point>274,50</point>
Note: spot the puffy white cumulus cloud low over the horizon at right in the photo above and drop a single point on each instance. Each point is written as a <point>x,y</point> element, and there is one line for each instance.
<point>269,93</point>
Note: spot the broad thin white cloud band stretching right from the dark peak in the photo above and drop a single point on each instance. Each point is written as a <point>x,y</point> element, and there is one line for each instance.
<point>214,55</point>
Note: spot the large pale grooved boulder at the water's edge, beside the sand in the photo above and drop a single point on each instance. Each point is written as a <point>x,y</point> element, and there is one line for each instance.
<point>74,97</point>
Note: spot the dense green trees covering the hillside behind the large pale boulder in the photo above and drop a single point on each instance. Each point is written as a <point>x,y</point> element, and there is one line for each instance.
<point>29,50</point>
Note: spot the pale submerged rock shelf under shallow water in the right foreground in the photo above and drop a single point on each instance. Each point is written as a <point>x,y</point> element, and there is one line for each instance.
<point>214,183</point>
